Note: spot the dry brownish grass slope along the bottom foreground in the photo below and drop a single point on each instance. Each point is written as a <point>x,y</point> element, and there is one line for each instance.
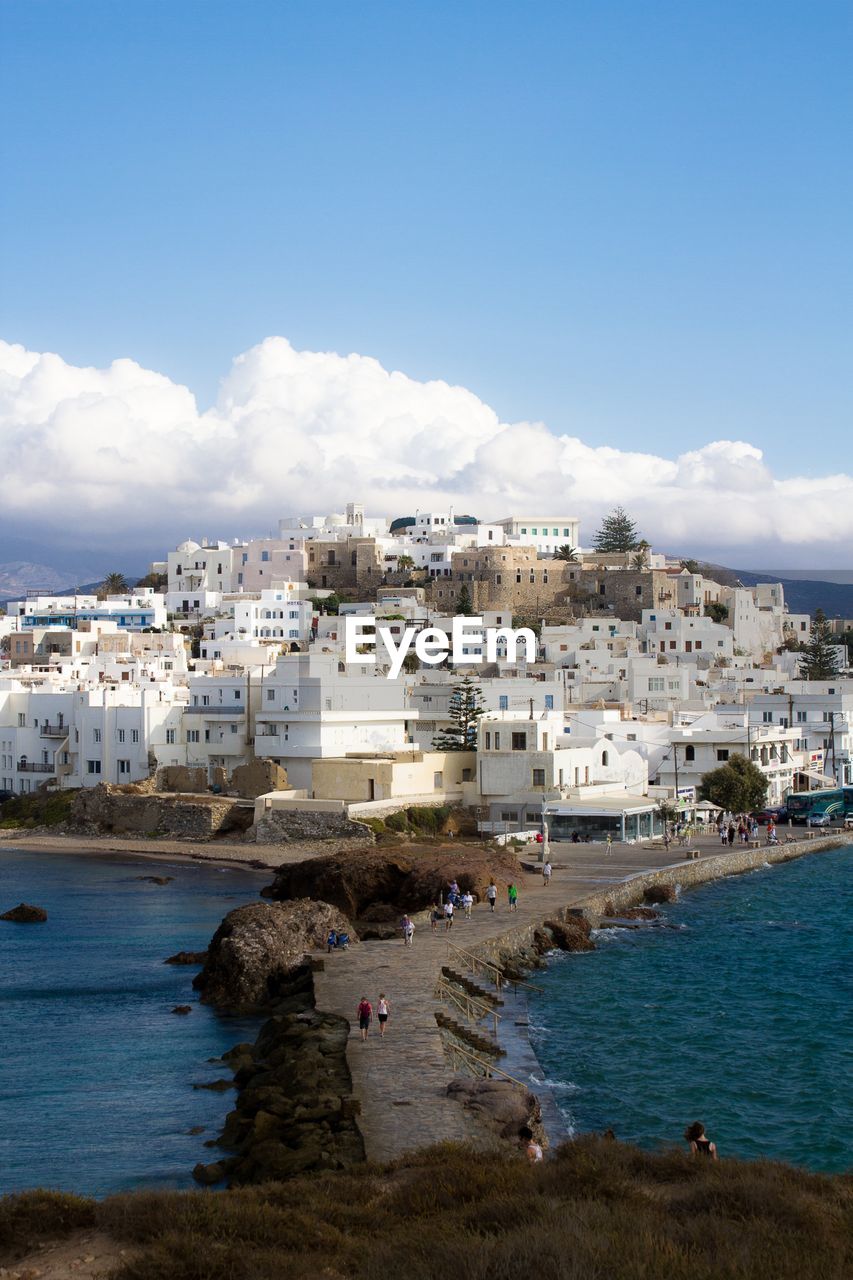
<point>596,1212</point>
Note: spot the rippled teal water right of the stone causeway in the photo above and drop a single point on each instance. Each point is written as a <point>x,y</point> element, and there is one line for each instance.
<point>738,1017</point>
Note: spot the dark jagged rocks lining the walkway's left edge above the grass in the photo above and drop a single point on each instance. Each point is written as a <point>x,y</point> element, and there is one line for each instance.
<point>295,1110</point>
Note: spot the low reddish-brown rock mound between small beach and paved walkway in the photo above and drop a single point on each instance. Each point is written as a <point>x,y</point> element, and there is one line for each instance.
<point>377,884</point>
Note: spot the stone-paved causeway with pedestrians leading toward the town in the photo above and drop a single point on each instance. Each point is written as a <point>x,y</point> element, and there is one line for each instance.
<point>402,1082</point>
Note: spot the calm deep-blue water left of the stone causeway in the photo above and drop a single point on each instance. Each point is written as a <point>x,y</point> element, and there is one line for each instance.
<point>97,1073</point>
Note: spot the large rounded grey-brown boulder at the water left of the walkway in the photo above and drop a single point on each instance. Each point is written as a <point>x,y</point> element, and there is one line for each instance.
<point>258,948</point>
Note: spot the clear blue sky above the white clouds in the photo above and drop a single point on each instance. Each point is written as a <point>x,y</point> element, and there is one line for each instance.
<point>630,221</point>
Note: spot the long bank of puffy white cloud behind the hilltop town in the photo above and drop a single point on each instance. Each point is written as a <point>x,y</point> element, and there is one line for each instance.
<point>124,452</point>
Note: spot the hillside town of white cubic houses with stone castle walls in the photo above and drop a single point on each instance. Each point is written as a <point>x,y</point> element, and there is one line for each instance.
<point>649,675</point>
